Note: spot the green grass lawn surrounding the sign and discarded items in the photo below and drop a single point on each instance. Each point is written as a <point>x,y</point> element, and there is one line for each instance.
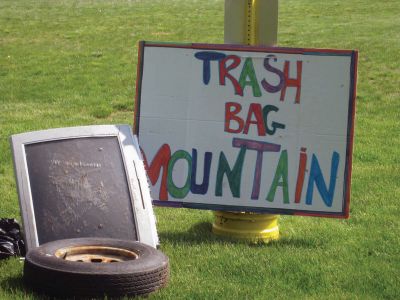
<point>65,63</point>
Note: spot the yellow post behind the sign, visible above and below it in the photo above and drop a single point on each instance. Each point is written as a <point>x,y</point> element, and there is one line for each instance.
<point>249,22</point>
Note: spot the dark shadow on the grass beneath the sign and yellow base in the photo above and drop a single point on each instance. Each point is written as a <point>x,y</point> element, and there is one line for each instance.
<point>201,233</point>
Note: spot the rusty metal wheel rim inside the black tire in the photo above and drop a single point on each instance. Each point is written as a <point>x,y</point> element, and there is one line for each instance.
<point>96,254</point>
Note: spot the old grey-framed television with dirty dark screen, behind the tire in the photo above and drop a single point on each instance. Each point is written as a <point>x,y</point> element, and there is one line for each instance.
<point>84,181</point>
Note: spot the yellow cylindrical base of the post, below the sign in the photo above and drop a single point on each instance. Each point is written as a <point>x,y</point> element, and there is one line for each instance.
<point>249,227</point>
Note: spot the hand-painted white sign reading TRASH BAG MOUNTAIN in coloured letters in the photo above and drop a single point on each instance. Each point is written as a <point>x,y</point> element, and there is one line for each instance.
<point>247,129</point>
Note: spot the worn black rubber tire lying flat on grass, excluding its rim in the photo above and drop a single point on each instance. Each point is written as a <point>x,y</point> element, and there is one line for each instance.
<point>46,273</point>
